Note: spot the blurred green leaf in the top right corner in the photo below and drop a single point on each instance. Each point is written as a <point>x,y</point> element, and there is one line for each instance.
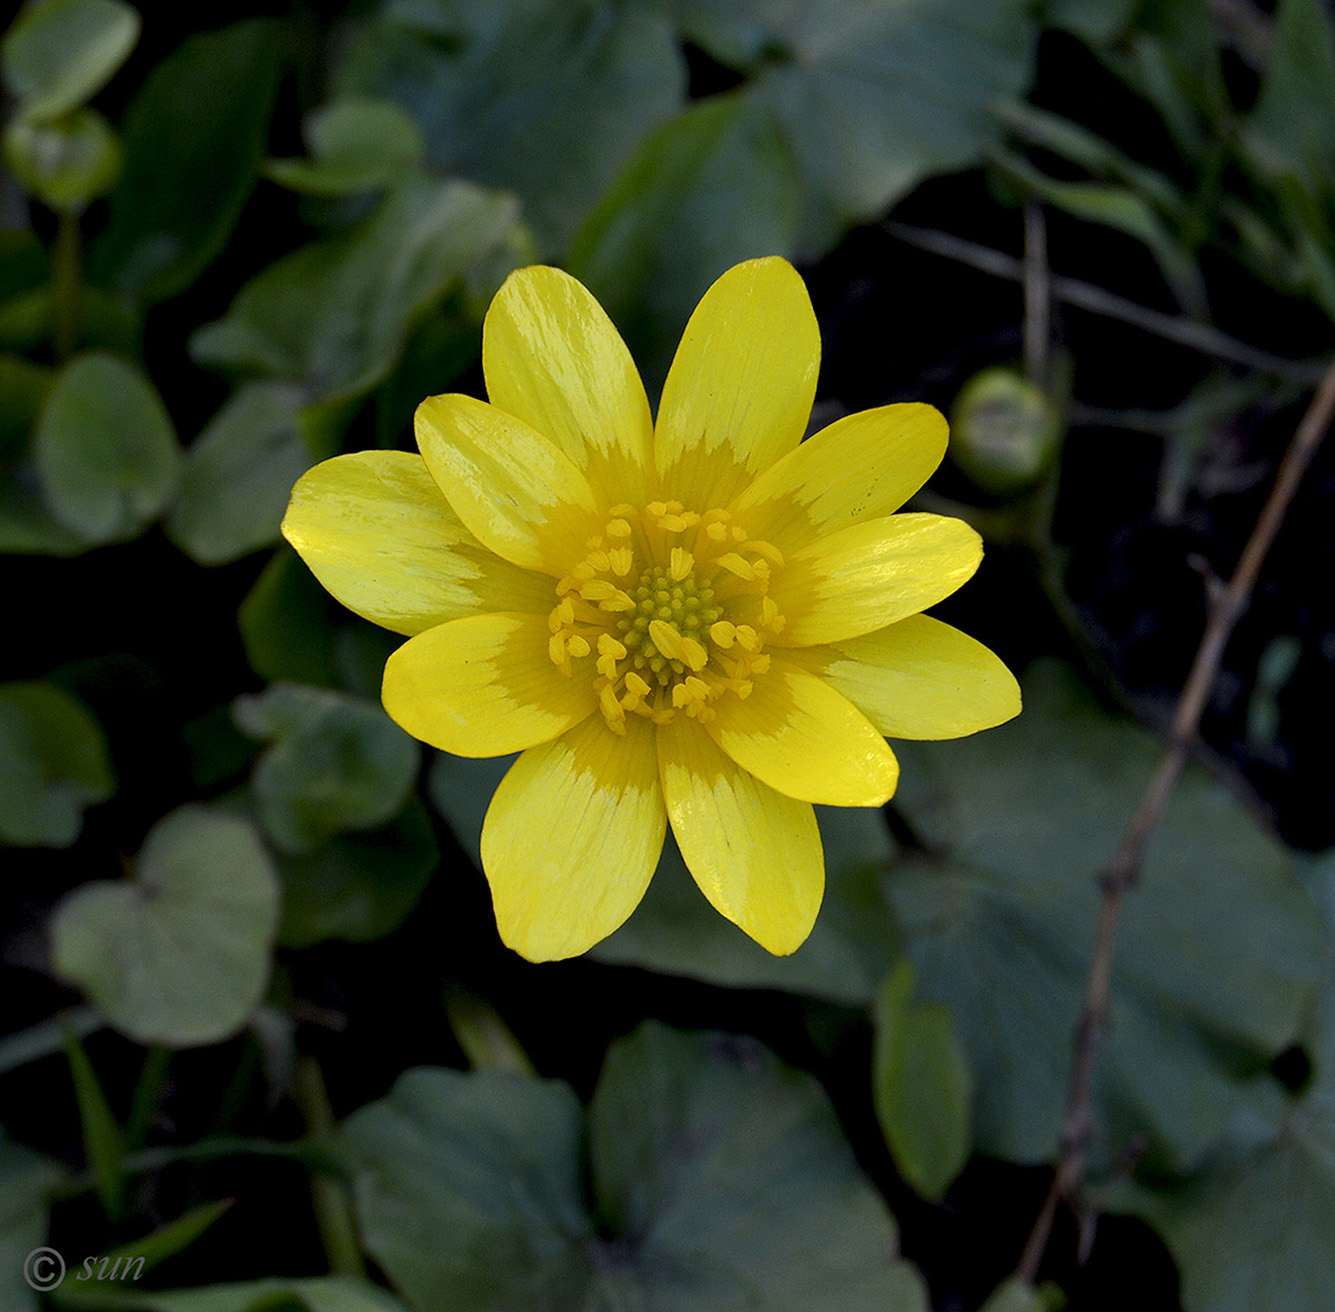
<point>1293,126</point>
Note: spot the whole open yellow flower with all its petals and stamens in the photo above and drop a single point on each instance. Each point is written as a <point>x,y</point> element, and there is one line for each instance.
<point>704,620</point>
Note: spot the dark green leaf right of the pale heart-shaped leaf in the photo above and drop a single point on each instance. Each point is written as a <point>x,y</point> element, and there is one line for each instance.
<point>358,887</point>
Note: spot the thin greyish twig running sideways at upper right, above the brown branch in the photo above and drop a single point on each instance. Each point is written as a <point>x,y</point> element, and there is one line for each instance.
<point>1189,333</point>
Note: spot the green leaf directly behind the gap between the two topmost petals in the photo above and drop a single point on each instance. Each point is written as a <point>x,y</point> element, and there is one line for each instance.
<point>710,189</point>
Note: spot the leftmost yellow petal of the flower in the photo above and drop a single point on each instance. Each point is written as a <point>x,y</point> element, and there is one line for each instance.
<point>377,533</point>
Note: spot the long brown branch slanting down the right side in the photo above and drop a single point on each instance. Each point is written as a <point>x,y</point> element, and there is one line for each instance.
<point>1123,871</point>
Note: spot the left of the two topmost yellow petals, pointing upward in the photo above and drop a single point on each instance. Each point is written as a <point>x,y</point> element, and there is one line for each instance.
<point>552,357</point>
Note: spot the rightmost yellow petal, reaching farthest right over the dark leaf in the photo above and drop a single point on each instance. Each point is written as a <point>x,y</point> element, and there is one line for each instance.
<point>919,679</point>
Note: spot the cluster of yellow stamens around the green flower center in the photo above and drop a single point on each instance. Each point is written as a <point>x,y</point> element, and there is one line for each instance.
<point>670,612</point>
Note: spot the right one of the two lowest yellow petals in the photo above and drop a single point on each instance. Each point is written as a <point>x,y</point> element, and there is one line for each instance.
<point>755,854</point>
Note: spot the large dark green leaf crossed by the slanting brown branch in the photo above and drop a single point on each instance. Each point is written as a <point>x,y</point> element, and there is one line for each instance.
<point>1220,950</point>
